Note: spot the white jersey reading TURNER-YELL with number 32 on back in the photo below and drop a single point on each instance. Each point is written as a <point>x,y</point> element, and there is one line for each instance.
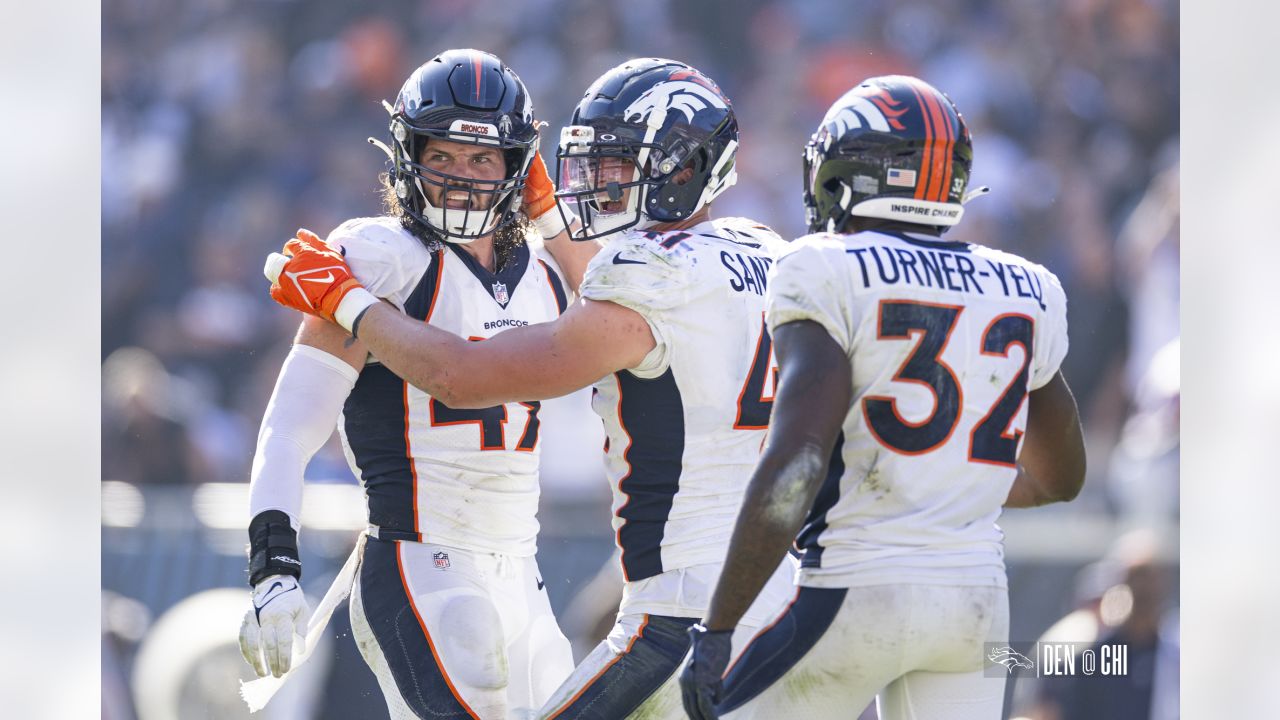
<point>945,340</point>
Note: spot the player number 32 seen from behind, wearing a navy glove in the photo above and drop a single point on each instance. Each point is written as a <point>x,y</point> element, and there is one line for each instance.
<point>920,393</point>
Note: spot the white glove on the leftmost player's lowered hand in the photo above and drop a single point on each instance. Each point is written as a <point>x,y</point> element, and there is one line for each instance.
<point>267,635</point>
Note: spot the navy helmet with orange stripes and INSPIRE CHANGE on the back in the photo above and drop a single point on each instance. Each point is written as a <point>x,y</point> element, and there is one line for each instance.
<point>894,148</point>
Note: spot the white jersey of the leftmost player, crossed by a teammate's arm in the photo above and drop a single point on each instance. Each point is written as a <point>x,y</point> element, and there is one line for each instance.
<point>464,479</point>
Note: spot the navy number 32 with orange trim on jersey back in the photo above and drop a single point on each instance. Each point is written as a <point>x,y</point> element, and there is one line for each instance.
<point>990,441</point>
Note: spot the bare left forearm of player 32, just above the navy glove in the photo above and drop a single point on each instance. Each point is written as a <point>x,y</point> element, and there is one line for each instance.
<point>778,499</point>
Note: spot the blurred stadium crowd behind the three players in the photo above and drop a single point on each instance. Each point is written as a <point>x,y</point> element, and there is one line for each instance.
<point>230,124</point>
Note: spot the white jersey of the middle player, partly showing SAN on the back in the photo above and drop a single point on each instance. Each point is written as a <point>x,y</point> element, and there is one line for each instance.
<point>684,429</point>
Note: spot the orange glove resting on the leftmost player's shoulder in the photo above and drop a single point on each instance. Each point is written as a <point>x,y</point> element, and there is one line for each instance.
<point>314,279</point>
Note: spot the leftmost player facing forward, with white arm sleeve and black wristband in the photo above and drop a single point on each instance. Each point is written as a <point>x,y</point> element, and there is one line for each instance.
<point>449,607</point>
